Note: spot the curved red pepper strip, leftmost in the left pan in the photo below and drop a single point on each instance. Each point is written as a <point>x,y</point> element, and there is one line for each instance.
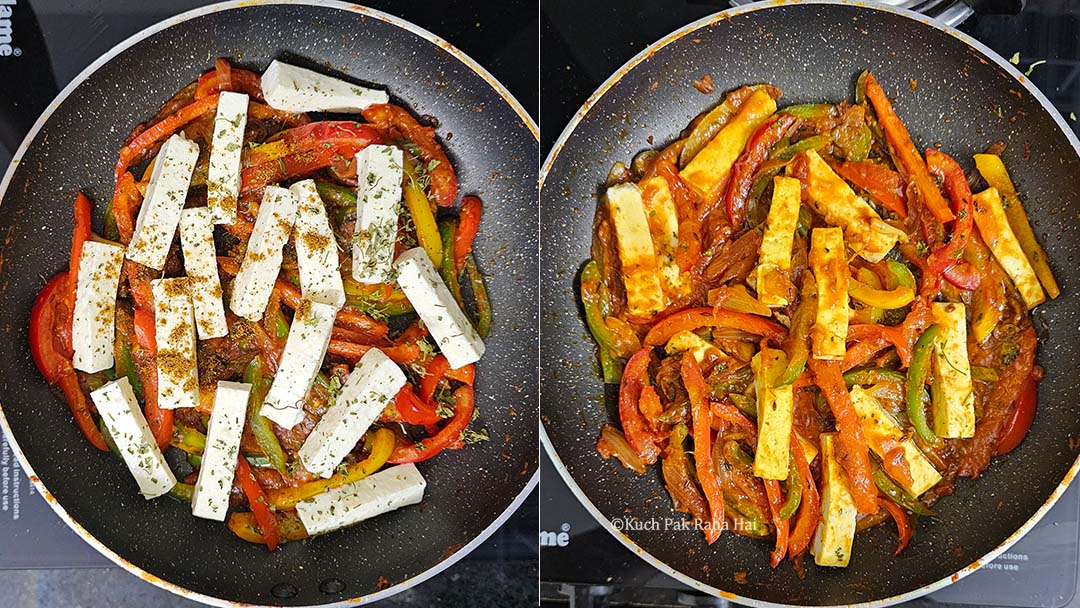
<point>48,320</point>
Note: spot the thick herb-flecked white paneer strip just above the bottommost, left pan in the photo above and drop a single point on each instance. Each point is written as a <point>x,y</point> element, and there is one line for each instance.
<point>372,385</point>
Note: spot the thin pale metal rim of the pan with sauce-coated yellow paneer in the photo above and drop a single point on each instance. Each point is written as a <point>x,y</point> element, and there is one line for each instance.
<point>569,132</point>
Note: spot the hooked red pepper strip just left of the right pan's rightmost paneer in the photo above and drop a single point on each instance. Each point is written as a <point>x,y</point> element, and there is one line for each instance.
<point>949,256</point>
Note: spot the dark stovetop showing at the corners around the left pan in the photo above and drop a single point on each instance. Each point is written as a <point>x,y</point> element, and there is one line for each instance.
<point>55,40</point>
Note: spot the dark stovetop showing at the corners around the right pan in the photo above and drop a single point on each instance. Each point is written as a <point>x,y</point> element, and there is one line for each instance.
<point>582,564</point>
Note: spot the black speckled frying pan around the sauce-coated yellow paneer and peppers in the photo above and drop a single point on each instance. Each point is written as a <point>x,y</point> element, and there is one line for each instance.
<point>814,51</point>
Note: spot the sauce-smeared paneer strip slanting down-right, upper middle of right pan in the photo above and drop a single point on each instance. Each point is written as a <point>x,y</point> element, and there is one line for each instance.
<point>865,231</point>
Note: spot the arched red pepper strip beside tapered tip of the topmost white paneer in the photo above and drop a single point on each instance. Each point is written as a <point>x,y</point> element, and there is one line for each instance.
<point>395,123</point>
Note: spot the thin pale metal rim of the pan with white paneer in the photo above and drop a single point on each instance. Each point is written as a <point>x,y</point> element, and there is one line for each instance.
<point>86,74</point>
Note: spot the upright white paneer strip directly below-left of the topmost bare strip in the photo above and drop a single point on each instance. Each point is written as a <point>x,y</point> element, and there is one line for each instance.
<point>223,177</point>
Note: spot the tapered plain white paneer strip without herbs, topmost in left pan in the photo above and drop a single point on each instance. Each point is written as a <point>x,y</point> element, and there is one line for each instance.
<point>293,89</point>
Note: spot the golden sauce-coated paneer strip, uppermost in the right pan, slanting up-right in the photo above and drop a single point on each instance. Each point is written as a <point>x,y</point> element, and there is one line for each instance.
<point>713,164</point>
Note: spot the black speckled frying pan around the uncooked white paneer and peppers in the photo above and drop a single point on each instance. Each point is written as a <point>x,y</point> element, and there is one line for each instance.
<point>73,147</point>
